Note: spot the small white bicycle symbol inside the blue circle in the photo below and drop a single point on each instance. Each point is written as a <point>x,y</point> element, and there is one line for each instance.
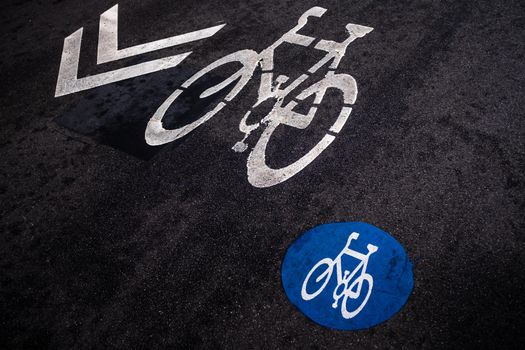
<point>344,288</point>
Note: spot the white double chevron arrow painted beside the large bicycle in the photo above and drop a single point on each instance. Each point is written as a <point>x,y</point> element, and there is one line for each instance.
<point>68,81</point>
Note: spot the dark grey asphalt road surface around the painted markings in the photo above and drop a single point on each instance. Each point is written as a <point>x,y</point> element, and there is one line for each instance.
<point>109,243</point>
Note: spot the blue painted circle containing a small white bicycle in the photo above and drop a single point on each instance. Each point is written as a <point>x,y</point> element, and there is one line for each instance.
<point>314,279</point>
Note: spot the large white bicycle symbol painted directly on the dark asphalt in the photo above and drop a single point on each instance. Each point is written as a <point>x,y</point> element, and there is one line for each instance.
<point>259,173</point>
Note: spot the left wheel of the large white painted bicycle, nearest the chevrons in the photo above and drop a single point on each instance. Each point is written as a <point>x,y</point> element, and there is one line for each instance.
<point>156,134</point>
